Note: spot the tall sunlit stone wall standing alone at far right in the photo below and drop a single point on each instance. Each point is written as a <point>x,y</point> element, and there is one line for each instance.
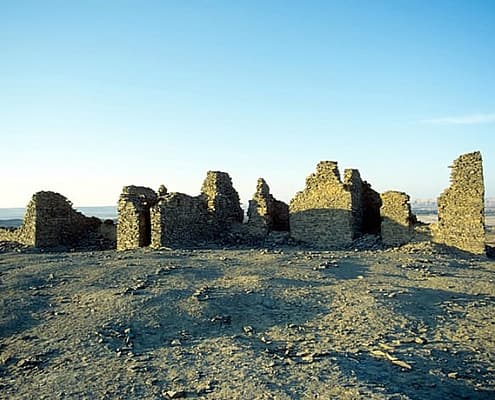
<point>461,218</point>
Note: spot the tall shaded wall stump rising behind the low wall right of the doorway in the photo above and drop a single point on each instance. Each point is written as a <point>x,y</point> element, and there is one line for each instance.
<point>222,202</point>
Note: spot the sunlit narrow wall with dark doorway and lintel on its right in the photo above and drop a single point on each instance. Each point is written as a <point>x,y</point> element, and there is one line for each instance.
<point>134,217</point>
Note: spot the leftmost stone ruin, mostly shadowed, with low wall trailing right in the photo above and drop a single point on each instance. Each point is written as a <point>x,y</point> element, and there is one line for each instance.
<point>51,222</point>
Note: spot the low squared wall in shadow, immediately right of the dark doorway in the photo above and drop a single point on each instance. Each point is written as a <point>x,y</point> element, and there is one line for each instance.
<point>178,219</point>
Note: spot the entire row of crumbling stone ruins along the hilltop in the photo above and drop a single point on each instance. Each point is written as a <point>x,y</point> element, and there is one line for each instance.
<point>328,213</point>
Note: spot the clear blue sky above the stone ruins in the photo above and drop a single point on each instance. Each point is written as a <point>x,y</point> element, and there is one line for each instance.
<point>95,95</point>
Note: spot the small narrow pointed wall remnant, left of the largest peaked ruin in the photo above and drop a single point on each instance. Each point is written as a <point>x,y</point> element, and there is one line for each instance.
<point>265,213</point>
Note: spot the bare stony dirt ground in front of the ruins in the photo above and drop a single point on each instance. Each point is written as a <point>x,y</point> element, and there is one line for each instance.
<point>411,323</point>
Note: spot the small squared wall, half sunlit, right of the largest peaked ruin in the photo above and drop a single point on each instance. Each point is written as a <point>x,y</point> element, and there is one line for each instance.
<point>397,218</point>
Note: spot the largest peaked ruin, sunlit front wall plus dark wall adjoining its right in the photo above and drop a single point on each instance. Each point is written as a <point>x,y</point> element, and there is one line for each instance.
<point>330,212</point>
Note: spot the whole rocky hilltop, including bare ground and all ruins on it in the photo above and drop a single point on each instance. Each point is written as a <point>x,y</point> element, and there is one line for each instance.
<point>340,294</point>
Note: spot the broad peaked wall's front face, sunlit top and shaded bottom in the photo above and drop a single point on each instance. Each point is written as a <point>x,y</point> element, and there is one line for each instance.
<point>321,214</point>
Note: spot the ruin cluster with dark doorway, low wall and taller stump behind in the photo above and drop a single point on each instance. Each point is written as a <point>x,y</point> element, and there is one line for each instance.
<point>177,219</point>
